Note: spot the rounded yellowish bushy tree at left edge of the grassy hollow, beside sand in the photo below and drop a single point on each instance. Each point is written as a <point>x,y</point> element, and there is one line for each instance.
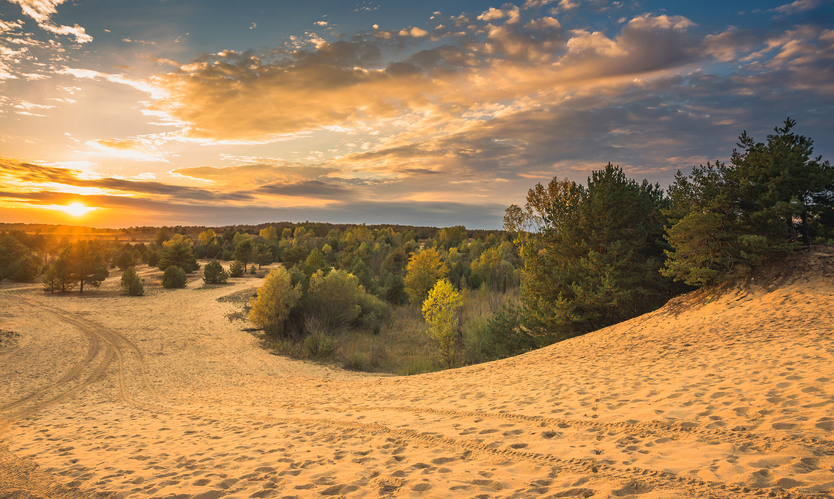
<point>274,302</point>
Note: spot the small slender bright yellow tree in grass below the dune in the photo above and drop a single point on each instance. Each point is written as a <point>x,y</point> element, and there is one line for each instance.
<point>441,310</point>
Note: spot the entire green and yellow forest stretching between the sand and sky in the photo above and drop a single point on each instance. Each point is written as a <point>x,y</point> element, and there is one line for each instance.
<point>575,258</point>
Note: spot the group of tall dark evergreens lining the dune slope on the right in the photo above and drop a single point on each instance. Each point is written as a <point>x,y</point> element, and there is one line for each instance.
<point>597,254</point>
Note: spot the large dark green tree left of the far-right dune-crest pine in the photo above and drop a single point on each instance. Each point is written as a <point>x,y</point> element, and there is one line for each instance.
<point>591,253</point>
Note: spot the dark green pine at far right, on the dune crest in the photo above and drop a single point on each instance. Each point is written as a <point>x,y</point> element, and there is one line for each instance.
<point>725,219</point>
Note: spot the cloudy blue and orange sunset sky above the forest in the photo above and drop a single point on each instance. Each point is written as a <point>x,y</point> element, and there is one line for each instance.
<point>209,112</point>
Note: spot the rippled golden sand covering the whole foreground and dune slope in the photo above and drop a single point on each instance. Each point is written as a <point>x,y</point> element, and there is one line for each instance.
<point>727,395</point>
